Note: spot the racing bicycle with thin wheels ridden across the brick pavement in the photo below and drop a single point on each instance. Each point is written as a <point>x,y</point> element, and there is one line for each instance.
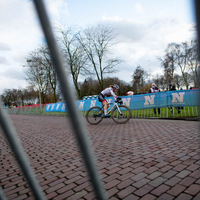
<point>119,113</point>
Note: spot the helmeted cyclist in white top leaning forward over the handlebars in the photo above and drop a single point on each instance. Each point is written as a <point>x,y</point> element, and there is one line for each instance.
<point>106,92</point>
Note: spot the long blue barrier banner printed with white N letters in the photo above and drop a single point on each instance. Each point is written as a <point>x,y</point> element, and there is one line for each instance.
<point>181,98</point>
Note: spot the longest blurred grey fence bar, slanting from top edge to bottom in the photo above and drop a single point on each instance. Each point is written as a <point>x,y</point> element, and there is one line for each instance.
<point>80,130</point>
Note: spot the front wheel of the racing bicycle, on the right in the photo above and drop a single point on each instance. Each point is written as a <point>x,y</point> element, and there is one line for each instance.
<point>121,115</point>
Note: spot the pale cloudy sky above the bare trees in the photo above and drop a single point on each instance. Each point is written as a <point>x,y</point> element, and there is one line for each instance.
<point>144,27</point>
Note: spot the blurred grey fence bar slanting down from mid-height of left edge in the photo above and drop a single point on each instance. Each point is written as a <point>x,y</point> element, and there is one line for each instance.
<point>15,144</point>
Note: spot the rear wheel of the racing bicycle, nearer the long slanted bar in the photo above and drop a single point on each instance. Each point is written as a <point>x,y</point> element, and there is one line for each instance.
<point>94,115</point>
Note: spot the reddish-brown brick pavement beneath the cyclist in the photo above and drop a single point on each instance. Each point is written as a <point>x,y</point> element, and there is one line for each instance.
<point>143,159</point>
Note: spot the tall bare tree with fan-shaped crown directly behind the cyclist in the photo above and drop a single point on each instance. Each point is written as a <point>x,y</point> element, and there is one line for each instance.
<point>96,42</point>
